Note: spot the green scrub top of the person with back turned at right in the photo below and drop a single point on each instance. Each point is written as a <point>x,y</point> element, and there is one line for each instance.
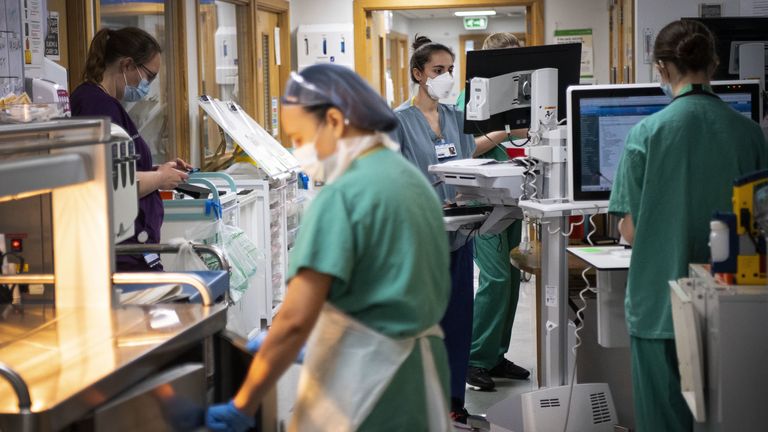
<point>676,171</point>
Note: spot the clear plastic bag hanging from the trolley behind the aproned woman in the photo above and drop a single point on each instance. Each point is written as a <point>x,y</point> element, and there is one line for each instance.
<point>245,258</point>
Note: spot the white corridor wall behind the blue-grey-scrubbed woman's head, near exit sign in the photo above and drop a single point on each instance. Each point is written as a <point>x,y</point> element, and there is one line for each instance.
<point>447,30</point>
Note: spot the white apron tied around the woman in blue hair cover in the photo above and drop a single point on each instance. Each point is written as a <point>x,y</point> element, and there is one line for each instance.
<point>347,369</point>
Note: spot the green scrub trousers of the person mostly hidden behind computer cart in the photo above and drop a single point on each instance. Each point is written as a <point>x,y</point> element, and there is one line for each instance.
<point>496,298</point>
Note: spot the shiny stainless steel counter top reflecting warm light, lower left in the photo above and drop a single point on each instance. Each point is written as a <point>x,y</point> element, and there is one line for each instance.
<point>74,360</point>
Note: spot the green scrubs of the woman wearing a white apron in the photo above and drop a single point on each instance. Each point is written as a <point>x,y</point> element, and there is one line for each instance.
<point>378,230</point>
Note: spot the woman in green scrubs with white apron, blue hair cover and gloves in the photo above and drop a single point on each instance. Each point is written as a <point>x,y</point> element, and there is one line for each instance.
<point>368,275</point>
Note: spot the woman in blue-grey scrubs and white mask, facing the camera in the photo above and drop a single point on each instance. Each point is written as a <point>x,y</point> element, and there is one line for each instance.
<point>430,133</point>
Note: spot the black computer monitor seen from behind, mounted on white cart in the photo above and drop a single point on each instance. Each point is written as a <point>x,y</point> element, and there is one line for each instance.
<point>566,58</point>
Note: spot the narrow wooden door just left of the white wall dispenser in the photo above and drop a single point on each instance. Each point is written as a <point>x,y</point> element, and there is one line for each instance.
<point>268,73</point>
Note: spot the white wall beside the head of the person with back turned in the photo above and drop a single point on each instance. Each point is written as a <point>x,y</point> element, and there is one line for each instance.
<point>652,15</point>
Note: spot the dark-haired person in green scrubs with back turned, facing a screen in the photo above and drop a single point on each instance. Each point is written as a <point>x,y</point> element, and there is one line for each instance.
<point>677,169</point>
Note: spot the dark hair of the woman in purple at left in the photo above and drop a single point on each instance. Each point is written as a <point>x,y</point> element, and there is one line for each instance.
<point>109,46</point>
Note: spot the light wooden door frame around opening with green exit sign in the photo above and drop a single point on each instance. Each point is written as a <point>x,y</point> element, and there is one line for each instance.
<point>534,20</point>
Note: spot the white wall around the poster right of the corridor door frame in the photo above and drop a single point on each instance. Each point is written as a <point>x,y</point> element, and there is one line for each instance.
<point>577,14</point>
